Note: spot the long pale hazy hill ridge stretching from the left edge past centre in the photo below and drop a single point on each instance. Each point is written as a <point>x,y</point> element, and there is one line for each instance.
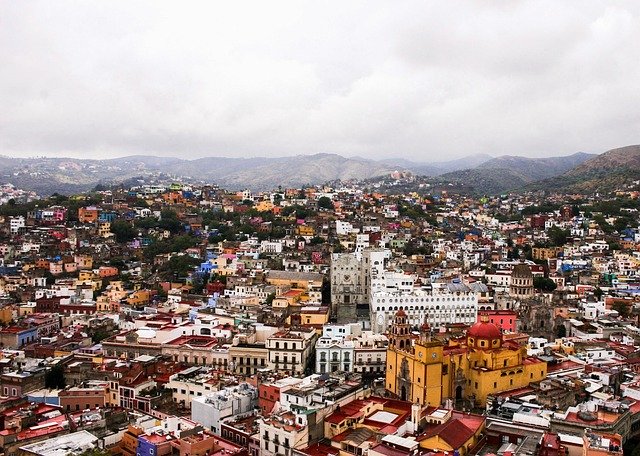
<point>67,175</point>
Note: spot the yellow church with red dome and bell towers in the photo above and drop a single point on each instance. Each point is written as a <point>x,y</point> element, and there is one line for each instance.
<point>426,371</point>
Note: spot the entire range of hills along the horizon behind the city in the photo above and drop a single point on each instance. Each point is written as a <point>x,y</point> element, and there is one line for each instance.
<point>475,173</point>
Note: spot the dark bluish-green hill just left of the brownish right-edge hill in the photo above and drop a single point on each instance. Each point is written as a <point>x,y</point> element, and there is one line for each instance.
<point>507,172</point>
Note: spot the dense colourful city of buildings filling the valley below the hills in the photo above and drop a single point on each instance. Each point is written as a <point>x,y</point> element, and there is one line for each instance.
<point>328,320</point>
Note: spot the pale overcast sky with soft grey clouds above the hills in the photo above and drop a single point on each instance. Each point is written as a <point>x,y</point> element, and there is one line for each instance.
<point>424,80</point>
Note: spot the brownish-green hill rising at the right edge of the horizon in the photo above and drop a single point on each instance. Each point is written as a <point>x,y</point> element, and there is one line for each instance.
<point>608,171</point>
